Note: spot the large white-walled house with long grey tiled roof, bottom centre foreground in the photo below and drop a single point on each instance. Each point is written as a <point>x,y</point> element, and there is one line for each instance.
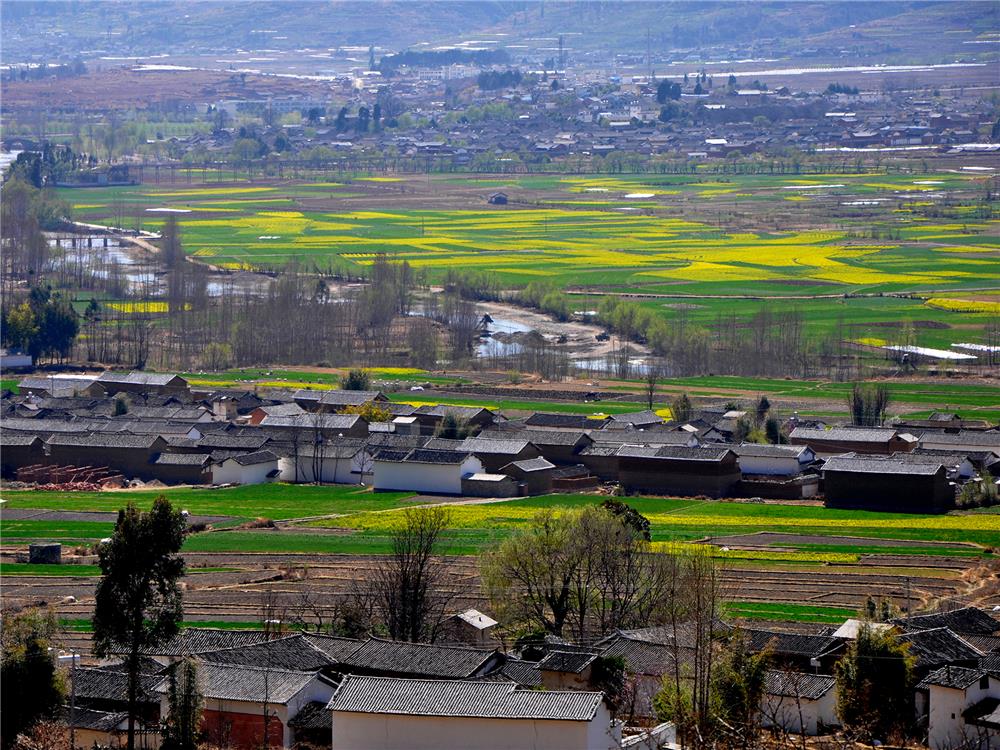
<point>380,713</point>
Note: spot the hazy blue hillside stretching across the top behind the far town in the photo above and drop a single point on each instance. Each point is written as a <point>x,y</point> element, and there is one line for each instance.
<point>171,26</point>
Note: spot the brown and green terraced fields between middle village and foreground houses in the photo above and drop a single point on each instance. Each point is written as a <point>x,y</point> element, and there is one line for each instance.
<point>778,562</point>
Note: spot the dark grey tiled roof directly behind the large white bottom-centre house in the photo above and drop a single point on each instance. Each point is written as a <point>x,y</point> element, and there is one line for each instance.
<point>422,659</point>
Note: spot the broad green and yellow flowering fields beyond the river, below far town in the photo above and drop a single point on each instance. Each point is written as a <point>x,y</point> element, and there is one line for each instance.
<point>698,236</point>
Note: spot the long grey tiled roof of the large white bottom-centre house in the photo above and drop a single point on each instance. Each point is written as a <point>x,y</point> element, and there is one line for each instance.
<point>490,700</point>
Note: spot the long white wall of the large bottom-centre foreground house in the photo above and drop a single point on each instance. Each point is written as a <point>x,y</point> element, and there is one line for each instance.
<point>356,731</point>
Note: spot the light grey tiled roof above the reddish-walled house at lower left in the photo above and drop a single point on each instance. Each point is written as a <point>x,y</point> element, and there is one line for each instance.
<point>251,684</point>
